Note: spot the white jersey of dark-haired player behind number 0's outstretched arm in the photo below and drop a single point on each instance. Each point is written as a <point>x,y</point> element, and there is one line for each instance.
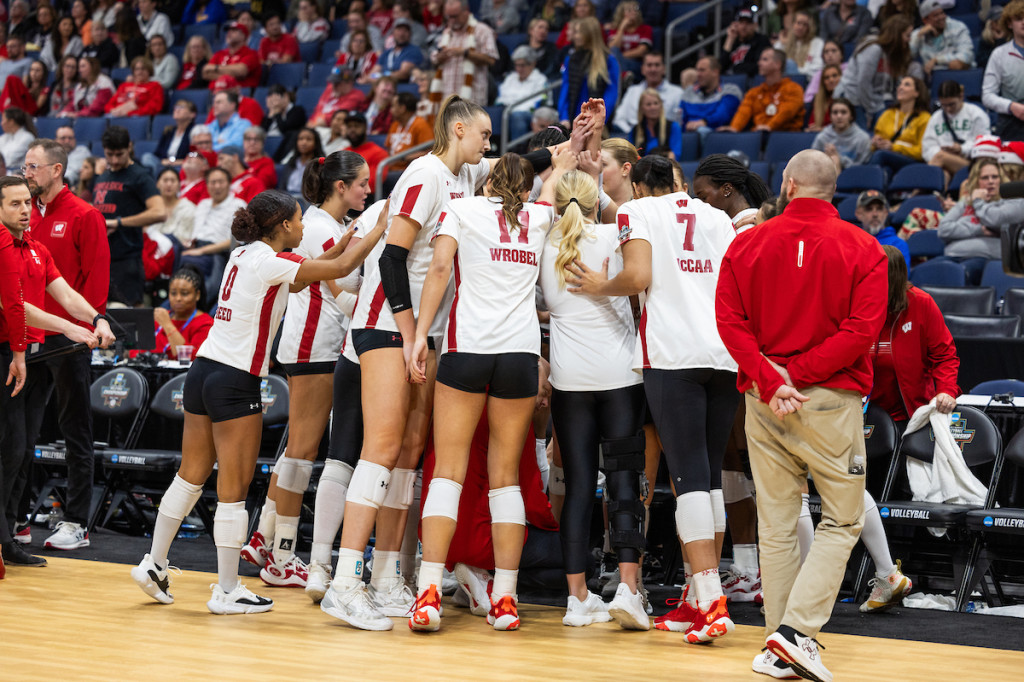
<point>315,326</point>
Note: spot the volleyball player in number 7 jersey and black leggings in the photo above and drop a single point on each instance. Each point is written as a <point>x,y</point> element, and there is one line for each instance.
<point>672,247</point>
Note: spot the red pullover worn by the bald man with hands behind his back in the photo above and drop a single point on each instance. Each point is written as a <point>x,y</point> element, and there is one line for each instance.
<point>809,292</point>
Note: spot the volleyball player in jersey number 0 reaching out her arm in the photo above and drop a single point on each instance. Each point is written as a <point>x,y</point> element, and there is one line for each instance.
<point>224,410</point>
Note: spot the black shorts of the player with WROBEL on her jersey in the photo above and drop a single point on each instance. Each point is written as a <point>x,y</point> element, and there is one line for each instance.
<point>506,376</point>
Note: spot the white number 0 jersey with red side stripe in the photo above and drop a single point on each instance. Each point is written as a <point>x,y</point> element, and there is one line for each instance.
<point>253,297</point>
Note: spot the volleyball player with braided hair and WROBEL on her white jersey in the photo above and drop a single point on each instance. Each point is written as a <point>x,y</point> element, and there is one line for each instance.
<point>492,346</point>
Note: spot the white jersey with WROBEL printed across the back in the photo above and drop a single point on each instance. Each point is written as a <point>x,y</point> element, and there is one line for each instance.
<point>496,271</point>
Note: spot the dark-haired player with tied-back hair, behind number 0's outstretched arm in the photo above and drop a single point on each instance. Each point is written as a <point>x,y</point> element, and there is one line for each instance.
<point>311,343</point>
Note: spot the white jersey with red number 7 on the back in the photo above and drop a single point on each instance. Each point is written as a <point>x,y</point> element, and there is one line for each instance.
<point>689,239</point>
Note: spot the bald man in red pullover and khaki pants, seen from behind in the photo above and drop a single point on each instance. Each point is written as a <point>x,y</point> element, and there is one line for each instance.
<point>800,302</point>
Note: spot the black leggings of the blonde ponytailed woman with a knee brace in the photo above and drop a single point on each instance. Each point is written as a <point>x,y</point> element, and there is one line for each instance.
<point>582,421</point>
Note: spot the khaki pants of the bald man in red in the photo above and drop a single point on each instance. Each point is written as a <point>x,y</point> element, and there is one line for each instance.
<point>822,439</point>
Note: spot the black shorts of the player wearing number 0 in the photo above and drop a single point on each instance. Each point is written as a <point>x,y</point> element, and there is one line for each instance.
<point>221,393</point>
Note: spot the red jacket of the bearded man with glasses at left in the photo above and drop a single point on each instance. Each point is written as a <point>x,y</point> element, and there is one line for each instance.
<point>75,233</point>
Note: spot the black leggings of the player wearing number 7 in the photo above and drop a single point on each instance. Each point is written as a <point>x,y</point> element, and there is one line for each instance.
<point>694,412</point>
